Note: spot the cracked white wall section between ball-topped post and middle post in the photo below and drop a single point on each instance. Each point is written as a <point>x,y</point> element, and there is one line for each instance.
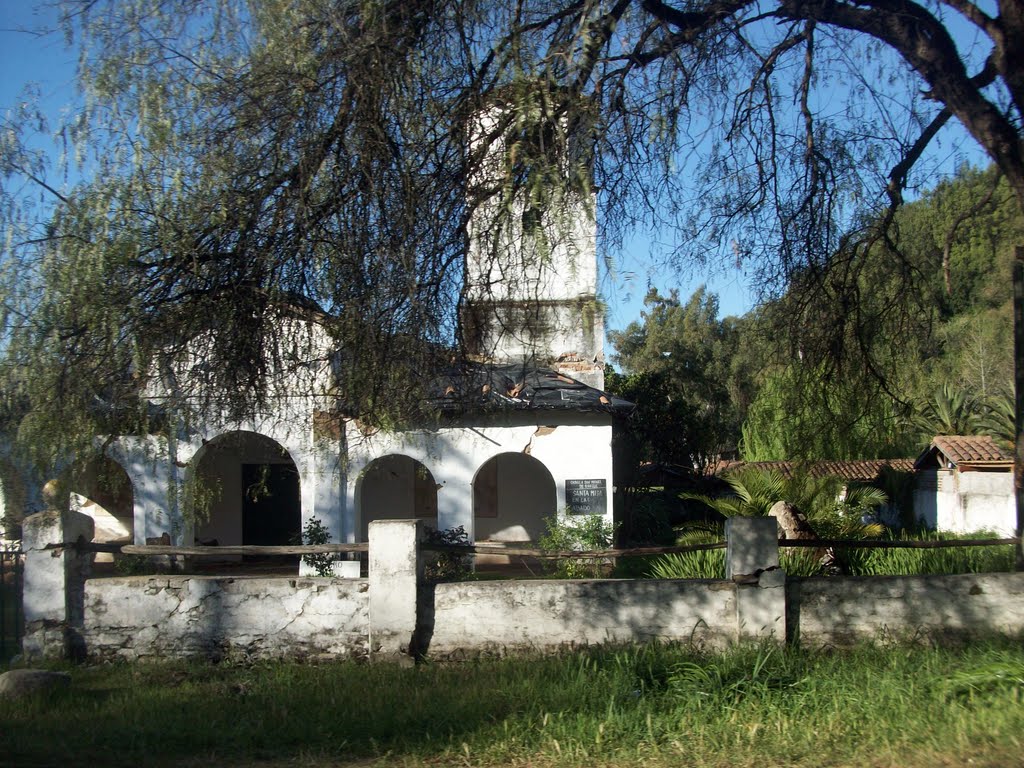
<point>215,618</point>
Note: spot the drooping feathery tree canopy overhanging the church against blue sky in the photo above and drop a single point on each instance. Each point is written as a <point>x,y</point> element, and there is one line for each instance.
<point>313,158</point>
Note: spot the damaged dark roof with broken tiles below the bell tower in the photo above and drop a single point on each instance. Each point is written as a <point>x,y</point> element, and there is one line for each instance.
<point>479,387</point>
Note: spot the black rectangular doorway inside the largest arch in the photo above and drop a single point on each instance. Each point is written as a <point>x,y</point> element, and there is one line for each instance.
<point>271,508</point>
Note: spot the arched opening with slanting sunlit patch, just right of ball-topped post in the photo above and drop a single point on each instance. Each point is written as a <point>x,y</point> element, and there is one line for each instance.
<point>103,491</point>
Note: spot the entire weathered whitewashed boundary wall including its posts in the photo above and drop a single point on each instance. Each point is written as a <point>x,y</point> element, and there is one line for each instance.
<point>396,616</point>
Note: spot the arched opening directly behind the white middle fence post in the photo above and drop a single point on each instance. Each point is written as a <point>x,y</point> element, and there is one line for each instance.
<point>396,488</point>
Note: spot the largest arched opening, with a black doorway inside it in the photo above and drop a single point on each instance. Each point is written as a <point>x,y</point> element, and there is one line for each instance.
<point>244,489</point>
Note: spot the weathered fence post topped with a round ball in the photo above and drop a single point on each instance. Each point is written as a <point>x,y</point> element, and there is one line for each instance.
<point>54,596</point>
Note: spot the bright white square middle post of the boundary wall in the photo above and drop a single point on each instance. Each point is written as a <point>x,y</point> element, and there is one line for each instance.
<point>396,573</point>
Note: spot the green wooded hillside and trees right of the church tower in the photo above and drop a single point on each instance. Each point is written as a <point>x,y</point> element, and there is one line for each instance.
<point>867,356</point>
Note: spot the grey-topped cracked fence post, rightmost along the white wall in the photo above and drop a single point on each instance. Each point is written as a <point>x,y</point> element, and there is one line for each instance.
<point>752,563</point>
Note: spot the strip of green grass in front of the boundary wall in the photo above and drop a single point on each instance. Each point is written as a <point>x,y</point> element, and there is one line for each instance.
<point>872,706</point>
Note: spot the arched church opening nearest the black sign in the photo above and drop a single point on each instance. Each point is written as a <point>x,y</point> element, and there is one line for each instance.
<point>513,496</point>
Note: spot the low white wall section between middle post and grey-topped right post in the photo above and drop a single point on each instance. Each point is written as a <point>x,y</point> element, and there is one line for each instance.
<point>513,617</point>
